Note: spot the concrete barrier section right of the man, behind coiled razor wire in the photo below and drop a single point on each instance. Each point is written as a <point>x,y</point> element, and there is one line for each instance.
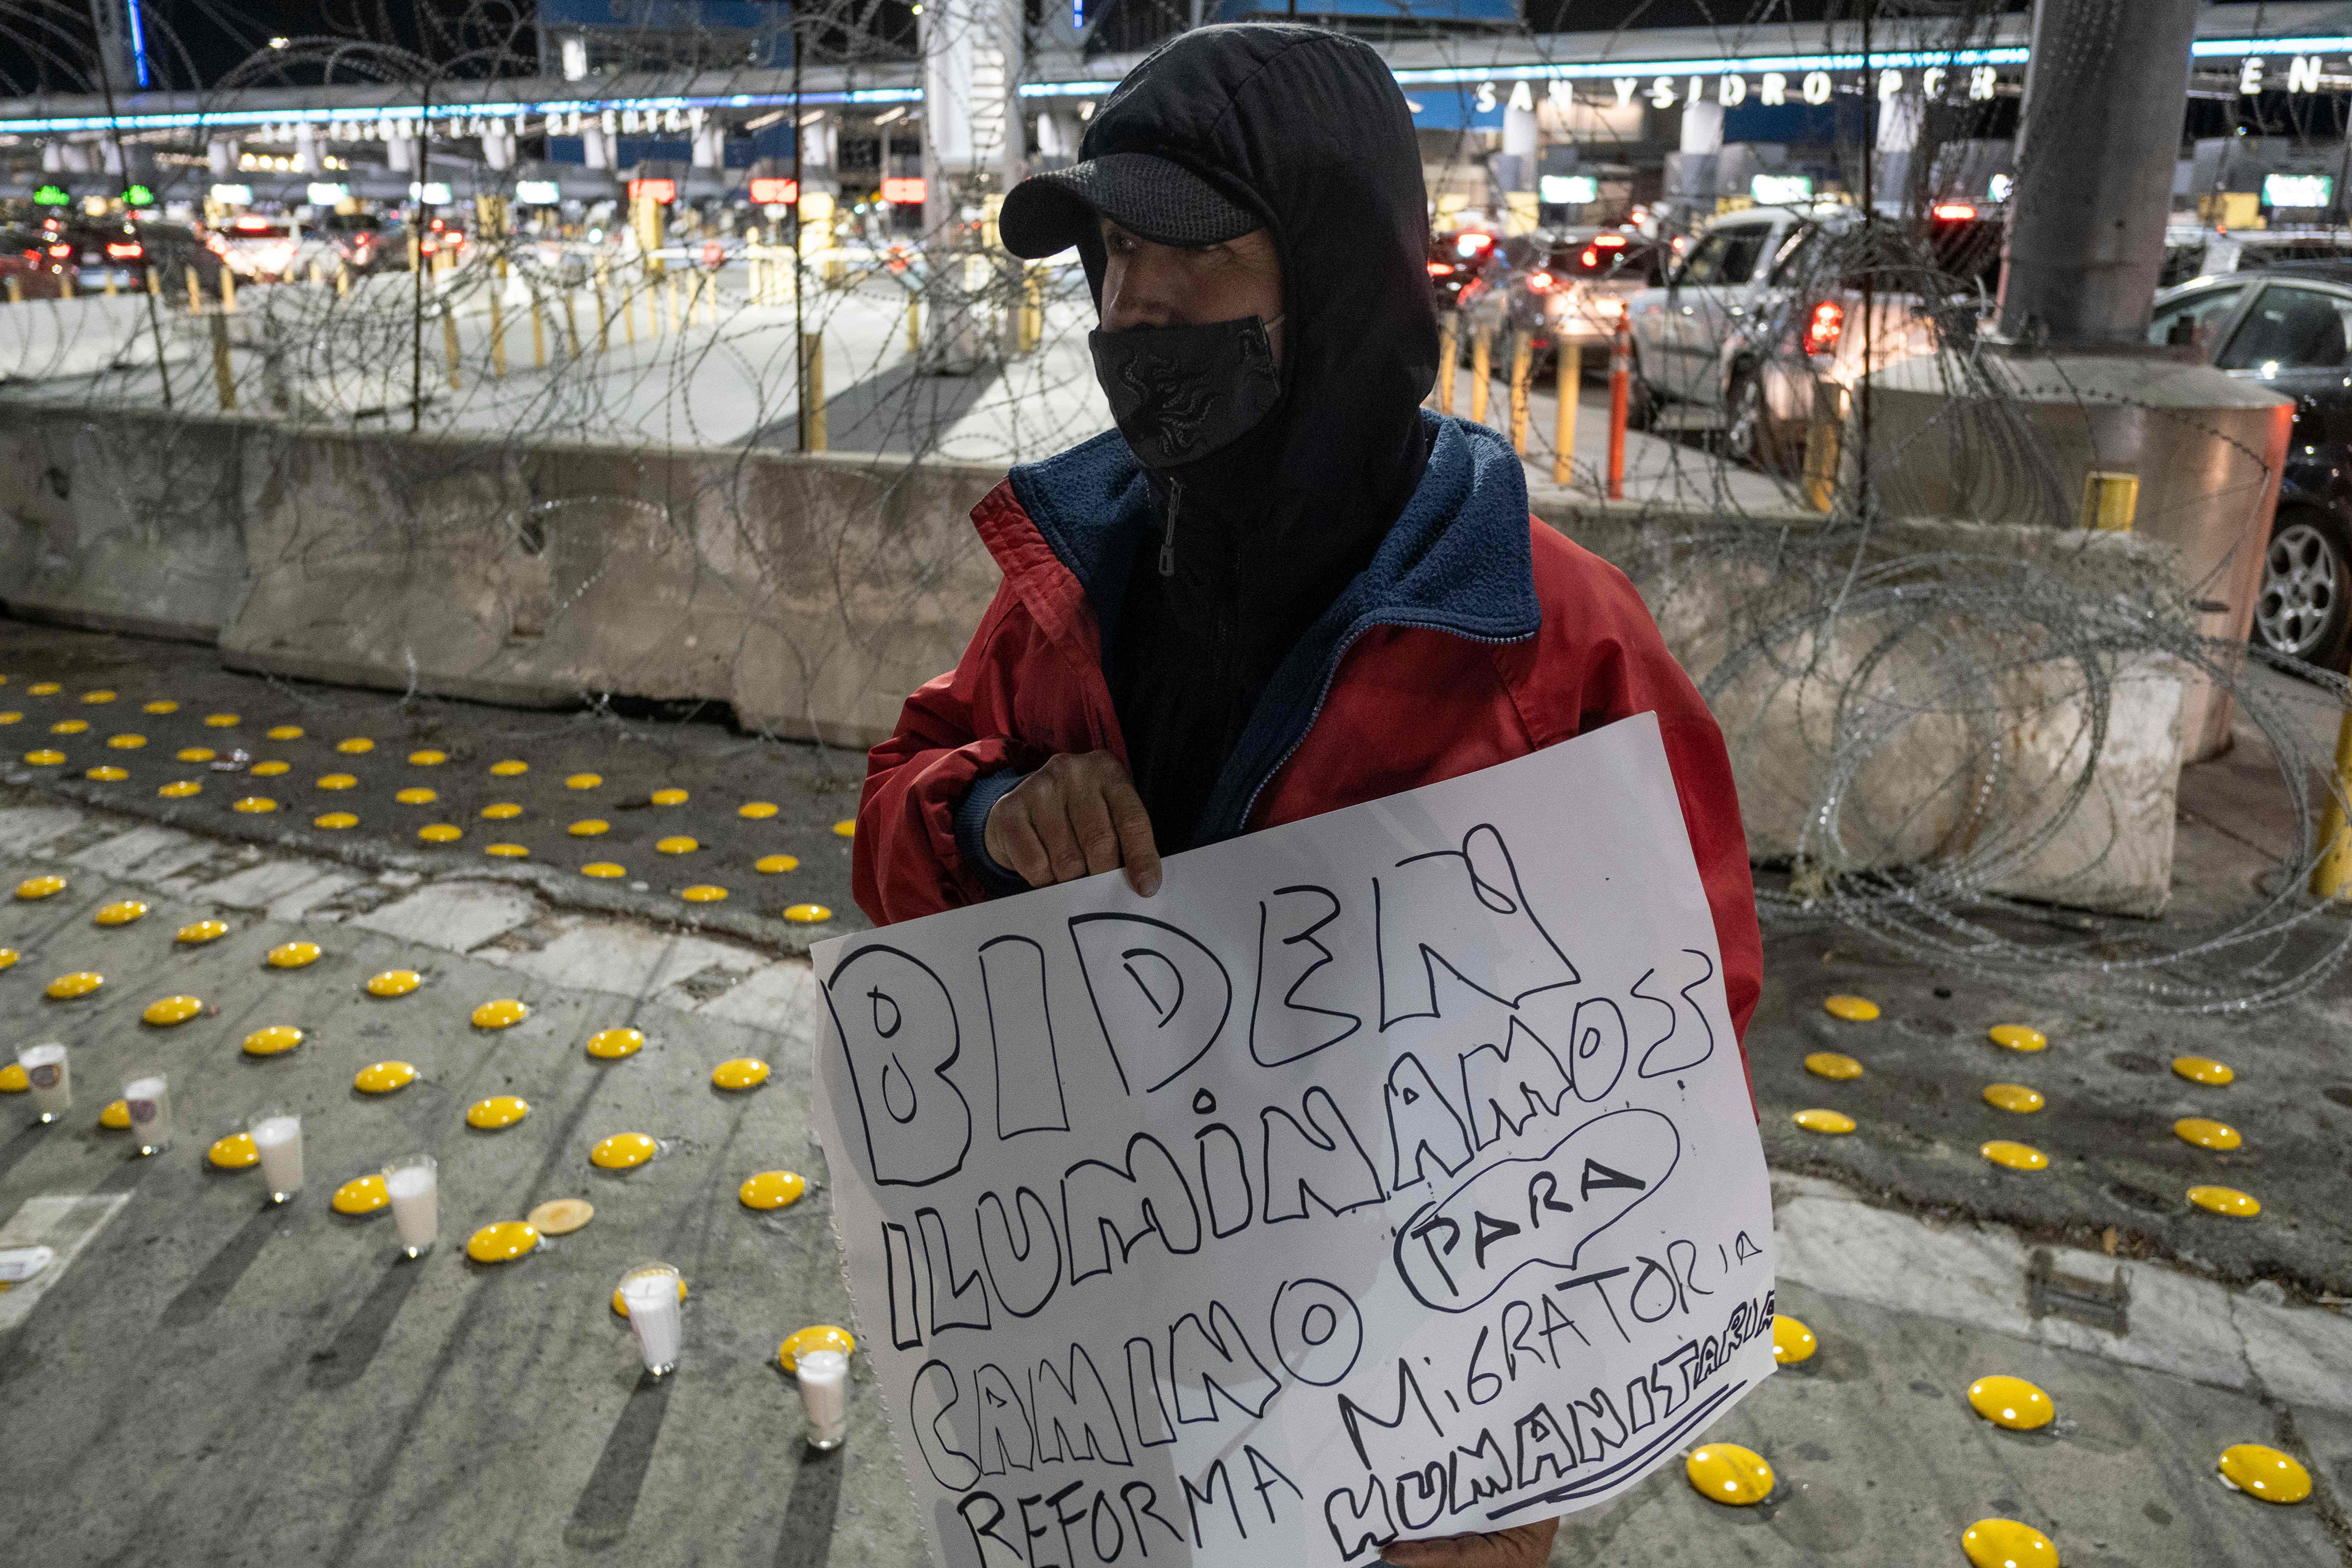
<point>1946,709</point>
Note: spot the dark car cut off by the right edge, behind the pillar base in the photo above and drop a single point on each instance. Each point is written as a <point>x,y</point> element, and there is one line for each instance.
<point>2290,328</point>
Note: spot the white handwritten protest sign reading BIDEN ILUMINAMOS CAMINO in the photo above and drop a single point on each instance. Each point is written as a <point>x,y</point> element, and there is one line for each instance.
<point>1389,1174</point>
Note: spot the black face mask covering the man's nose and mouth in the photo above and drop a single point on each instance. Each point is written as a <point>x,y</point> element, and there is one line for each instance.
<point>1182,394</point>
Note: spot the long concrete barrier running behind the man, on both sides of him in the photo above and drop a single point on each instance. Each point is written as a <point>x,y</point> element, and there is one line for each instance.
<point>813,594</point>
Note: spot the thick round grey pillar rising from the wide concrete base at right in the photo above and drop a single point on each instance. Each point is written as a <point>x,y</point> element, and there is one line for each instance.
<point>2097,147</point>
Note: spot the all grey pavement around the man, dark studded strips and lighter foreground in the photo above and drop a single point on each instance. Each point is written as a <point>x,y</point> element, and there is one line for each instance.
<point>229,1383</point>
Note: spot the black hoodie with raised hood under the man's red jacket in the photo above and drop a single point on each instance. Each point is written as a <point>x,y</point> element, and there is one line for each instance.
<point>1311,133</point>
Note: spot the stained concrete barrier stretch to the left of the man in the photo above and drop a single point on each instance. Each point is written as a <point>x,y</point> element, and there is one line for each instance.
<point>813,594</point>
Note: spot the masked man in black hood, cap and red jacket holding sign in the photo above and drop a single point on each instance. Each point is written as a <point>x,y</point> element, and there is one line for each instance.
<point>1281,587</point>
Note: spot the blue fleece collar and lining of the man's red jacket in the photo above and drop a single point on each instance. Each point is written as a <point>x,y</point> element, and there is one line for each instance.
<point>1457,561</point>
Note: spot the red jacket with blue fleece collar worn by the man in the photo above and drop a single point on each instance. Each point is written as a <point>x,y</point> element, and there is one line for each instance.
<point>1476,636</point>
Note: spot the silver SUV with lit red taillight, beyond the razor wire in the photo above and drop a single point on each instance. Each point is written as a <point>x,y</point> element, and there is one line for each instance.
<point>1770,302</point>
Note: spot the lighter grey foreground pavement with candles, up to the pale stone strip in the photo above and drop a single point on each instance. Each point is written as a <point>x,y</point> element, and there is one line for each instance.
<point>220,1381</point>
